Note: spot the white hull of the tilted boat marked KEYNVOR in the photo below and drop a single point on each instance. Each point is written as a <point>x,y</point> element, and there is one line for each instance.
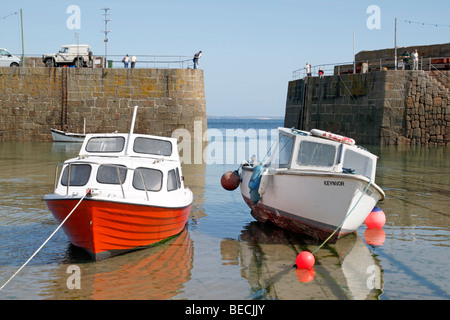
<point>315,204</point>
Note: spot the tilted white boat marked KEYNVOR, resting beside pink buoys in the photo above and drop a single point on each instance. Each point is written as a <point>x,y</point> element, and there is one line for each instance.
<point>316,183</point>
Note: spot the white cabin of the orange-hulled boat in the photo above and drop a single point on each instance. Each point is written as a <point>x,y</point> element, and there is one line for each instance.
<point>122,166</point>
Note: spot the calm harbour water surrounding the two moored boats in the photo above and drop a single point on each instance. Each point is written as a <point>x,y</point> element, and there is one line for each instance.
<point>223,253</point>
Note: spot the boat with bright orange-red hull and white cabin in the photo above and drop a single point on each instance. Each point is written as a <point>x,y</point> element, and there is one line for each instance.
<point>123,192</point>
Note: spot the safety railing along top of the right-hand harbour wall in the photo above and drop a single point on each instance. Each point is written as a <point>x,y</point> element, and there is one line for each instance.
<point>427,64</point>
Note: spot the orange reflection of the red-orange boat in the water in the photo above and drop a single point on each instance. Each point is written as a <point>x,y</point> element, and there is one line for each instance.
<point>158,273</point>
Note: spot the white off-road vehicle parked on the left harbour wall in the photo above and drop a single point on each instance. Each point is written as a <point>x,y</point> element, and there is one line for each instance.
<point>79,55</point>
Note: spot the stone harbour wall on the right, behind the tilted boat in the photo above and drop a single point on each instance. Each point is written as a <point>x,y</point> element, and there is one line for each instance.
<point>384,108</point>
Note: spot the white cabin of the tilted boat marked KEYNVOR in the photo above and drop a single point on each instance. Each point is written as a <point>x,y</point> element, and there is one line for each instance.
<point>300,150</point>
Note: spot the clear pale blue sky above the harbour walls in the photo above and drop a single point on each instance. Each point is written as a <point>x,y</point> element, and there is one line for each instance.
<point>250,47</point>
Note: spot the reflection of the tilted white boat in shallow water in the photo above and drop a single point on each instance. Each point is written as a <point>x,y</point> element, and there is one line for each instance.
<point>266,254</point>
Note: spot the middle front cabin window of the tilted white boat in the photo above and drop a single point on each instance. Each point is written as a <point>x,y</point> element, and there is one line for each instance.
<point>316,154</point>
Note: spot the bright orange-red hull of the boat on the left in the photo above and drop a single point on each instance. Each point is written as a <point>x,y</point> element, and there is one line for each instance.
<point>109,228</point>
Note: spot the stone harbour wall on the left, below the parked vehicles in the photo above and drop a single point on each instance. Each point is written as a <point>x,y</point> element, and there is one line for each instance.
<point>33,100</point>
